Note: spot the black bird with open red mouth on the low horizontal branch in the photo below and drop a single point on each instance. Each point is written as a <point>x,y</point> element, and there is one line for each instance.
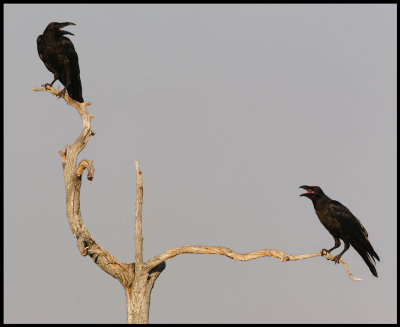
<point>342,224</point>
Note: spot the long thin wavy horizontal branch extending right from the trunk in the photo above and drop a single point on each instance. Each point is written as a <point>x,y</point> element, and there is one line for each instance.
<point>201,249</point>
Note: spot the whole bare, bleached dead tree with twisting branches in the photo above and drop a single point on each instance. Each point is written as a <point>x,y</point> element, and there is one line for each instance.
<point>137,278</point>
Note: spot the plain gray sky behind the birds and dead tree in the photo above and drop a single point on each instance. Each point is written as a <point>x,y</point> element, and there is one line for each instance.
<point>228,109</point>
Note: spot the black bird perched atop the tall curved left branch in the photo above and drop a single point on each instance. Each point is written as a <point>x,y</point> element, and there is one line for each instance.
<point>59,56</point>
